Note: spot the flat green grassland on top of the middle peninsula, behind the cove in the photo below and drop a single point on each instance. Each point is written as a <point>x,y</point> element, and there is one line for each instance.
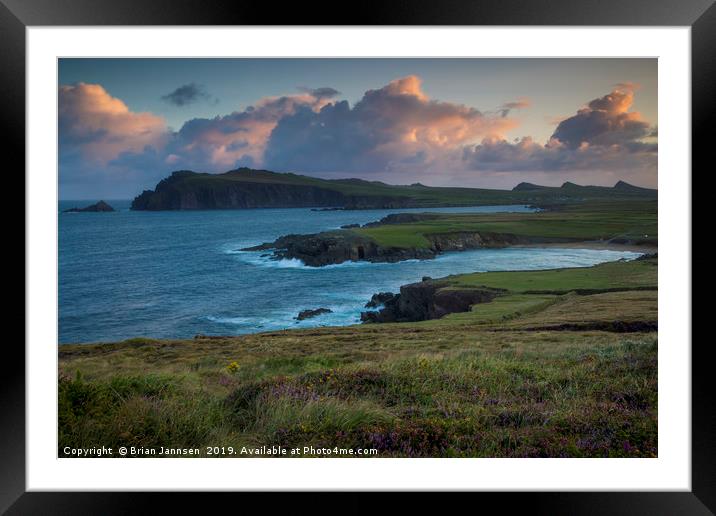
<point>634,220</point>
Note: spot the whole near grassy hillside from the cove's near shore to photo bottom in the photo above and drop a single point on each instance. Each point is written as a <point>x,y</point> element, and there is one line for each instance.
<point>498,381</point>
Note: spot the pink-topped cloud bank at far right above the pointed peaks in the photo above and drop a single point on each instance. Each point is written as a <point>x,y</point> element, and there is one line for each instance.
<point>603,135</point>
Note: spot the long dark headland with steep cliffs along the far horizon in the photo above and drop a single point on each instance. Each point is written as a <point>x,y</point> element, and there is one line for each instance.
<point>248,188</point>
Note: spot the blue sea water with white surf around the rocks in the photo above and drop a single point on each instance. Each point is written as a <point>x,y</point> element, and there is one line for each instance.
<point>175,274</point>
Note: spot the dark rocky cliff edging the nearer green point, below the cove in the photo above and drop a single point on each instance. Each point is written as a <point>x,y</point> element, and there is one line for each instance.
<point>429,300</point>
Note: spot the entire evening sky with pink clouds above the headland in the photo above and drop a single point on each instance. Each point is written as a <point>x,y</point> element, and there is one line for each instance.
<point>124,124</point>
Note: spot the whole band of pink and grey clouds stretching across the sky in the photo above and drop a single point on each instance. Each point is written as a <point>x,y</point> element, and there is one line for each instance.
<point>396,133</point>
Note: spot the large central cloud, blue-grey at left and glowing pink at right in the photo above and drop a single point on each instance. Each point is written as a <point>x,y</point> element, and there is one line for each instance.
<point>390,128</point>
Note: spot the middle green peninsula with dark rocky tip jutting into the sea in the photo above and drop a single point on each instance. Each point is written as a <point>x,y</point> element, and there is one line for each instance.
<point>409,236</point>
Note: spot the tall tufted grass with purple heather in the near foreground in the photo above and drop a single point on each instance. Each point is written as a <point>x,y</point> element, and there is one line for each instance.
<point>577,401</point>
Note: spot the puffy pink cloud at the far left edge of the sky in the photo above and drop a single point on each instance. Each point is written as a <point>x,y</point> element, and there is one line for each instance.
<point>100,127</point>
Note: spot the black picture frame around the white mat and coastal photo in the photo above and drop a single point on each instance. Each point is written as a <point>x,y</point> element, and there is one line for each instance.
<point>17,15</point>
